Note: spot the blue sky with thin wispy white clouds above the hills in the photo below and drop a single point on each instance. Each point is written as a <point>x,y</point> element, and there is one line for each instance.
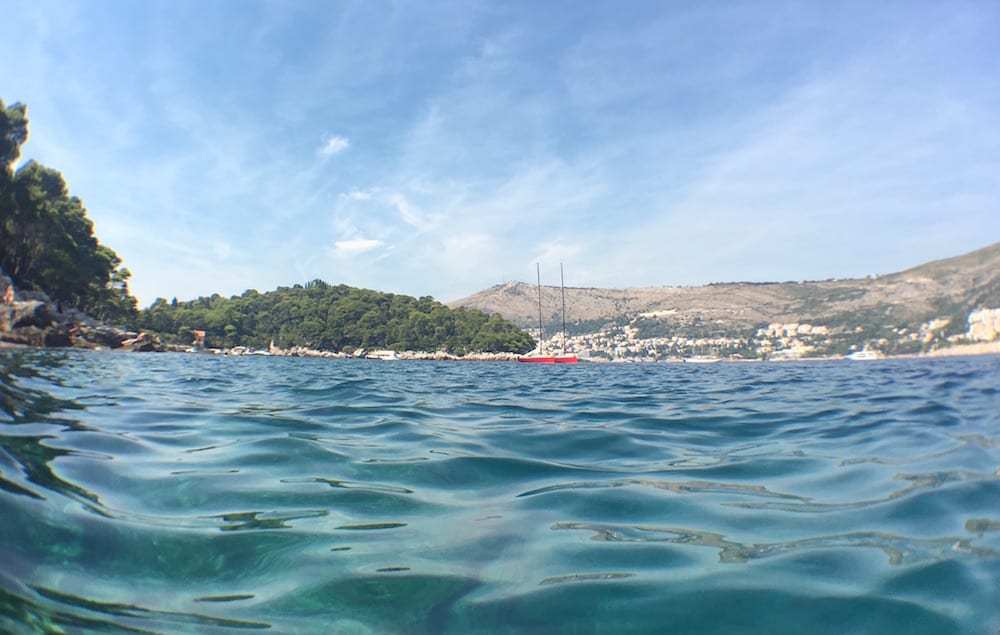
<point>438,148</point>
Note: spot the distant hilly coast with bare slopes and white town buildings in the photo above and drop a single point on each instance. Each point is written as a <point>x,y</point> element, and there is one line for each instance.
<point>928,309</point>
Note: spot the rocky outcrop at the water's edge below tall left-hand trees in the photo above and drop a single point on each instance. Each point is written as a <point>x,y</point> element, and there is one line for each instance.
<point>32,319</point>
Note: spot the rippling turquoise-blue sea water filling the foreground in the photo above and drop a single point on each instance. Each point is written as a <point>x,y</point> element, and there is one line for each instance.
<point>176,494</point>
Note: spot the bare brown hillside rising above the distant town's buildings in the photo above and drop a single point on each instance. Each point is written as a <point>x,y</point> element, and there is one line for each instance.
<point>950,287</point>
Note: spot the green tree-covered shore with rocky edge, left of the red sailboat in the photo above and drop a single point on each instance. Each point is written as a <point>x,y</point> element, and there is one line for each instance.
<point>59,287</point>
